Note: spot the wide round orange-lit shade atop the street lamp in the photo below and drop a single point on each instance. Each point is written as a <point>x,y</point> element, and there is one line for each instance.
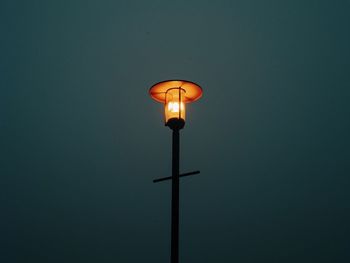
<point>192,91</point>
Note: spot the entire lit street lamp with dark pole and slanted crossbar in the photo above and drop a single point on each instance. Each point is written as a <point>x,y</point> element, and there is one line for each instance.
<point>174,94</point>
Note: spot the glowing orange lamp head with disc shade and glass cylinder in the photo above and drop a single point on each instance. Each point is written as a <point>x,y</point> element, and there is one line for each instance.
<point>175,94</point>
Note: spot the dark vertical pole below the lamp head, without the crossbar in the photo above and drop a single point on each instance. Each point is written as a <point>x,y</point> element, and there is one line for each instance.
<point>175,197</point>
